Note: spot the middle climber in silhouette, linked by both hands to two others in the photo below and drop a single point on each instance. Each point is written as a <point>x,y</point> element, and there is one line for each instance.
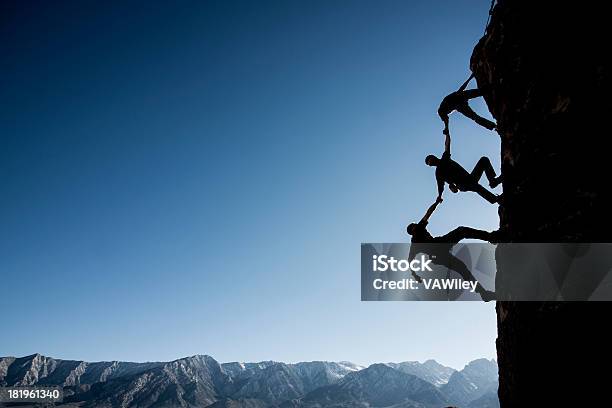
<point>458,179</point>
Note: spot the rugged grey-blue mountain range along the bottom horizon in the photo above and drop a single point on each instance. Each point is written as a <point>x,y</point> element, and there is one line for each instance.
<point>201,381</point>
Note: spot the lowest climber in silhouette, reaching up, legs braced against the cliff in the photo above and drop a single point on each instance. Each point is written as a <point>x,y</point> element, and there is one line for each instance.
<point>439,248</point>
